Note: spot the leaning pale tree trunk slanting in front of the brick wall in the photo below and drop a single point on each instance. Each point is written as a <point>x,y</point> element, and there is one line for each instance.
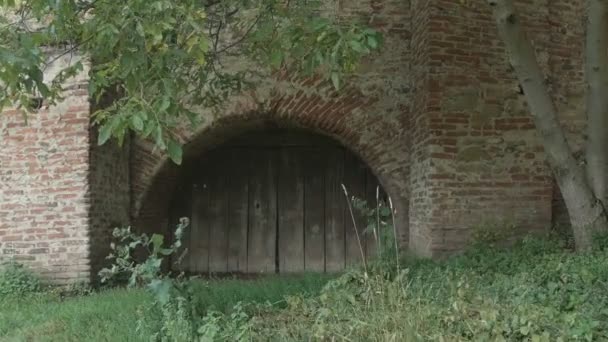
<point>587,215</point>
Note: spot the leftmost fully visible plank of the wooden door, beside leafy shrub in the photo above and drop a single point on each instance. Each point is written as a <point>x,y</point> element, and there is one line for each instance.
<point>199,242</point>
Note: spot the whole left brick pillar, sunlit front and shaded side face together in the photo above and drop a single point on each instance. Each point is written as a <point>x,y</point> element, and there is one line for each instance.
<point>60,193</point>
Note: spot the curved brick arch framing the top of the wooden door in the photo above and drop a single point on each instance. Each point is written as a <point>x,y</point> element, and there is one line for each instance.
<point>377,139</point>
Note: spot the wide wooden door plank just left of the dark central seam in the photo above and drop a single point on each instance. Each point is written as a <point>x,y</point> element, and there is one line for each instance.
<point>262,212</point>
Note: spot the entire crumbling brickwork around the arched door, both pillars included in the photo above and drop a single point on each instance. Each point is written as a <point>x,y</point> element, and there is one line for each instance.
<point>437,115</point>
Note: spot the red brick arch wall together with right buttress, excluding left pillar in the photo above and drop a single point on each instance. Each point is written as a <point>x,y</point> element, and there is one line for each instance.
<point>458,145</point>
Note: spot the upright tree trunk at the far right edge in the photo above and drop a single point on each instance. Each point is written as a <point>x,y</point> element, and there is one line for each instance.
<point>597,98</point>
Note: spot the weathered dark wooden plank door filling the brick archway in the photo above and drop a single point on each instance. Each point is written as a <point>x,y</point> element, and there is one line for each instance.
<point>273,202</point>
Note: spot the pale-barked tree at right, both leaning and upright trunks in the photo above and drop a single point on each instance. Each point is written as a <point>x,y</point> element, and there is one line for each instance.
<point>584,187</point>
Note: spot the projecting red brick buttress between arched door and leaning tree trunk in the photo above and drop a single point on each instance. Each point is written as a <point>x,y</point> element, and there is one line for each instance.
<point>477,158</point>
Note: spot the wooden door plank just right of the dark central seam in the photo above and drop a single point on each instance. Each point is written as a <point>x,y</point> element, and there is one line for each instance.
<point>291,210</point>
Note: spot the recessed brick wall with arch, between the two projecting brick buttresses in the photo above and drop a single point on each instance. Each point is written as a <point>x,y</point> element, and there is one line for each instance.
<point>370,117</point>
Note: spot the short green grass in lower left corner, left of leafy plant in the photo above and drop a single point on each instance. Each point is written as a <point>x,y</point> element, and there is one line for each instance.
<point>106,316</point>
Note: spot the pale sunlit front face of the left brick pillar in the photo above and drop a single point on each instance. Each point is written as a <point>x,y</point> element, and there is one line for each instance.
<point>44,190</point>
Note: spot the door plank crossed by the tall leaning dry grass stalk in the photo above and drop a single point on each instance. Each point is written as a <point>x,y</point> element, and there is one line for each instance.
<point>354,179</point>
